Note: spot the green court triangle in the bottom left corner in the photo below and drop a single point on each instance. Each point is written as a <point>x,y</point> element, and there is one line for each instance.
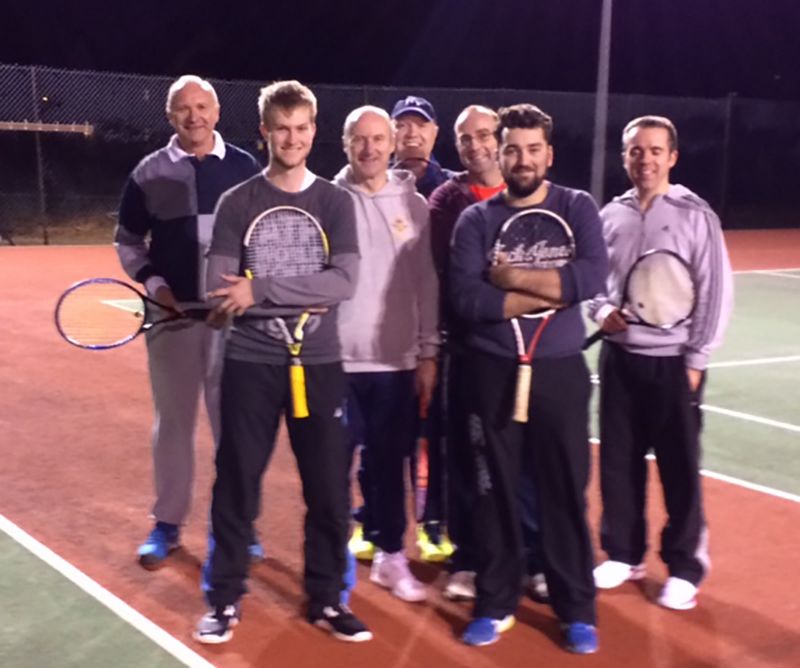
<point>46,621</point>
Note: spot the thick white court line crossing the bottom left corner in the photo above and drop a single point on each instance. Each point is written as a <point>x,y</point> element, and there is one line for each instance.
<point>137,620</point>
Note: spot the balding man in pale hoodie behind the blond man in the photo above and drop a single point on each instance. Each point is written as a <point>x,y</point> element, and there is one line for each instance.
<point>389,334</point>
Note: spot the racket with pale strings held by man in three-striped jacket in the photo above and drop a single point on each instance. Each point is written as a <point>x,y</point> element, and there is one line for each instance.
<point>658,292</point>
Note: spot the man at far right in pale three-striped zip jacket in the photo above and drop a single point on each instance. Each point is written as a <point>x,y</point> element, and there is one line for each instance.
<point>651,380</point>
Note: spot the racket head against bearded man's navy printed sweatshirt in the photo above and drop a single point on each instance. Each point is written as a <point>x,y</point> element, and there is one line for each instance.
<point>535,239</point>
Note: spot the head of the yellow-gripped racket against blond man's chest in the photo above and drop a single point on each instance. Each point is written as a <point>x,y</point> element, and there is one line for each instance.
<point>285,241</point>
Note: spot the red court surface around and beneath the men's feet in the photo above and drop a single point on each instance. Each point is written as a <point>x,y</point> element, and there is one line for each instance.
<point>77,475</point>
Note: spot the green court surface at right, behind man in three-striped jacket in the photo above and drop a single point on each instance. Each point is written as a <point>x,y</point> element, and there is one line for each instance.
<point>753,374</point>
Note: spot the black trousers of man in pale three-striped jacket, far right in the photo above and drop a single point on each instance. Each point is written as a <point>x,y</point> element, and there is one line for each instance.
<point>646,404</point>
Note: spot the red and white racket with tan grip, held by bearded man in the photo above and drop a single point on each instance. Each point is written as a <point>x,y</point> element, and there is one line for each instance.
<point>532,239</point>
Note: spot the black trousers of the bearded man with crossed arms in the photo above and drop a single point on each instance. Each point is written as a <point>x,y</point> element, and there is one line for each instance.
<point>553,449</point>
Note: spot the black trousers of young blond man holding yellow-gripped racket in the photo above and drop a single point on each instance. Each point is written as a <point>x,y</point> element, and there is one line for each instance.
<point>254,396</point>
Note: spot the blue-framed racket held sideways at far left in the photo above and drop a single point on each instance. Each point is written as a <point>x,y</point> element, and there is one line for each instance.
<point>103,313</point>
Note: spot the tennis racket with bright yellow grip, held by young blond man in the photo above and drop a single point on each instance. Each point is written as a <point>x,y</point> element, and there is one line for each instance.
<point>285,242</point>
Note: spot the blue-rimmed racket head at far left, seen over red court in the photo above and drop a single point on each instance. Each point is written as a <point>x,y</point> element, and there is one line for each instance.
<point>100,313</point>
